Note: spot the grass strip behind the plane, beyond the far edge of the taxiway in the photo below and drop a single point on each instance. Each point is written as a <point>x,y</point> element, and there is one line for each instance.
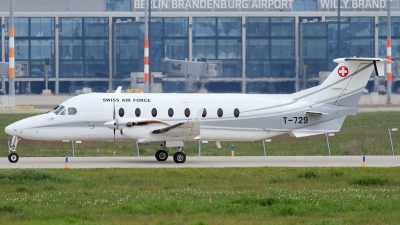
<point>364,134</point>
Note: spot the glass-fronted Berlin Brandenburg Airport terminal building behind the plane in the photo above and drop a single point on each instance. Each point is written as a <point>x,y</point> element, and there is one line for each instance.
<point>265,46</point>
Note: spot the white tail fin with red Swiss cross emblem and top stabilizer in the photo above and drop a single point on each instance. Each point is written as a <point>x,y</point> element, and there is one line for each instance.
<point>344,86</point>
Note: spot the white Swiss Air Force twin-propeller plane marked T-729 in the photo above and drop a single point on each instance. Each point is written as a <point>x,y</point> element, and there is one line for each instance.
<point>171,119</point>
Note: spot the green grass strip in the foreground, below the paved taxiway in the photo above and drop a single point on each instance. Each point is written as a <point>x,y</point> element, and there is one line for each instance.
<point>201,196</point>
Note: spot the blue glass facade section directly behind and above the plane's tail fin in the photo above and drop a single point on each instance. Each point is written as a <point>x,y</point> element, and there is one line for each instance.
<point>319,43</point>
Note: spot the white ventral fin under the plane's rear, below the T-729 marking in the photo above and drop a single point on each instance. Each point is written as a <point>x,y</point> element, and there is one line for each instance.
<point>320,128</point>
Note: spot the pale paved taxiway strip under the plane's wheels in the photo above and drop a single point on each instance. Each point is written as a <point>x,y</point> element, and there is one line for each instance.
<point>207,161</point>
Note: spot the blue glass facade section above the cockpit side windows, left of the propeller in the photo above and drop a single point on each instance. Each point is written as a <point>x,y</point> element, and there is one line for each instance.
<point>83,47</point>
